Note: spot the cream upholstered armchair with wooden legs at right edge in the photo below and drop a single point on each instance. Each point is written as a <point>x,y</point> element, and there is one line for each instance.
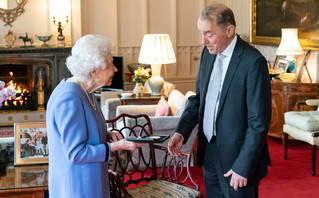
<point>303,126</point>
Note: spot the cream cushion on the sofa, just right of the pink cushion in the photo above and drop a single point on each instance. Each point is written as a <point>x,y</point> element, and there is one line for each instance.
<point>177,101</point>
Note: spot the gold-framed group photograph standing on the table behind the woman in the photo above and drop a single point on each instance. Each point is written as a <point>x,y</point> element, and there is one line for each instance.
<point>31,143</point>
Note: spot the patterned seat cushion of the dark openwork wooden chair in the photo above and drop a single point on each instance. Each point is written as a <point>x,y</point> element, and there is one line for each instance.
<point>162,188</point>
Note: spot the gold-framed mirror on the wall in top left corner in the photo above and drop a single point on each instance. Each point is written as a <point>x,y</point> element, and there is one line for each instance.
<point>11,9</point>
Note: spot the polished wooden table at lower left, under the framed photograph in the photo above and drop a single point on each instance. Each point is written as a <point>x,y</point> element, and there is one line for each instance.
<point>23,182</point>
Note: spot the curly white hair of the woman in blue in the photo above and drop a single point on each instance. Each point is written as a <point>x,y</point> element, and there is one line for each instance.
<point>88,53</point>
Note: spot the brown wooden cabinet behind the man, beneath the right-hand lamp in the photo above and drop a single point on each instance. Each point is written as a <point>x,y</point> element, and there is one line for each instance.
<point>284,98</point>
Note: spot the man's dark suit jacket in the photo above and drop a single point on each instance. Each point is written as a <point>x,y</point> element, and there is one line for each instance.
<point>243,114</point>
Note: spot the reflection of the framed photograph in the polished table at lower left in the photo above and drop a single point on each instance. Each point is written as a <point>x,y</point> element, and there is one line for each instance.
<point>31,176</point>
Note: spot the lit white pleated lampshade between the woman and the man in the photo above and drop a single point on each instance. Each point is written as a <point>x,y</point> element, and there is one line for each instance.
<point>156,49</point>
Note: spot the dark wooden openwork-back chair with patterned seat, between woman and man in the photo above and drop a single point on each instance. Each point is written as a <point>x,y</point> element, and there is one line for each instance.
<point>140,166</point>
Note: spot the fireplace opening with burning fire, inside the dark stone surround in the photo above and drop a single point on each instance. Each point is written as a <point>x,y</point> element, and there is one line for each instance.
<point>29,79</point>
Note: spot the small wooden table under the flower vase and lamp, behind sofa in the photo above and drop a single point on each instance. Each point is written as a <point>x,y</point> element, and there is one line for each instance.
<point>145,99</point>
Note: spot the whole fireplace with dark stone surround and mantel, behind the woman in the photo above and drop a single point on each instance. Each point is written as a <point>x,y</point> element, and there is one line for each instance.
<point>34,73</point>
